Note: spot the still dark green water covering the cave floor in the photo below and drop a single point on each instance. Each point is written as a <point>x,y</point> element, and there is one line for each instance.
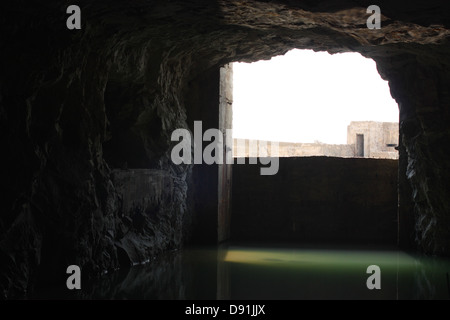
<point>276,272</point>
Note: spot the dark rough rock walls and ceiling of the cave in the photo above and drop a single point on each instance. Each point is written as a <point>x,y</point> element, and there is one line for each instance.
<point>75,104</point>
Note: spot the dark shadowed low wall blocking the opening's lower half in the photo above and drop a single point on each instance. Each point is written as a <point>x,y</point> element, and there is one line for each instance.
<point>317,199</point>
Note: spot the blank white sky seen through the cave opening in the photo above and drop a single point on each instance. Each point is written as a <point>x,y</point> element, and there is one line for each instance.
<point>306,96</point>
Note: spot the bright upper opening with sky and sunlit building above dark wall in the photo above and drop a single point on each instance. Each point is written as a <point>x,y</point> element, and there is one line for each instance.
<point>313,104</point>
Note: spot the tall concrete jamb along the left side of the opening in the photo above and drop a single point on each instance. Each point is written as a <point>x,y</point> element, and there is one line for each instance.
<point>210,101</point>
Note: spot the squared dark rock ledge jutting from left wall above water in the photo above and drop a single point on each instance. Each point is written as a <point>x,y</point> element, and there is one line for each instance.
<point>152,210</point>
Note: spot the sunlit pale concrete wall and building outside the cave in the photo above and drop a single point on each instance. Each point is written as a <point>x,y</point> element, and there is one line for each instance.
<point>365,139</point>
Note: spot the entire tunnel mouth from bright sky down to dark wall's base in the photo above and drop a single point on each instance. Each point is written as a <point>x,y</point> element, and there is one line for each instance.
<point>322,193</point>
